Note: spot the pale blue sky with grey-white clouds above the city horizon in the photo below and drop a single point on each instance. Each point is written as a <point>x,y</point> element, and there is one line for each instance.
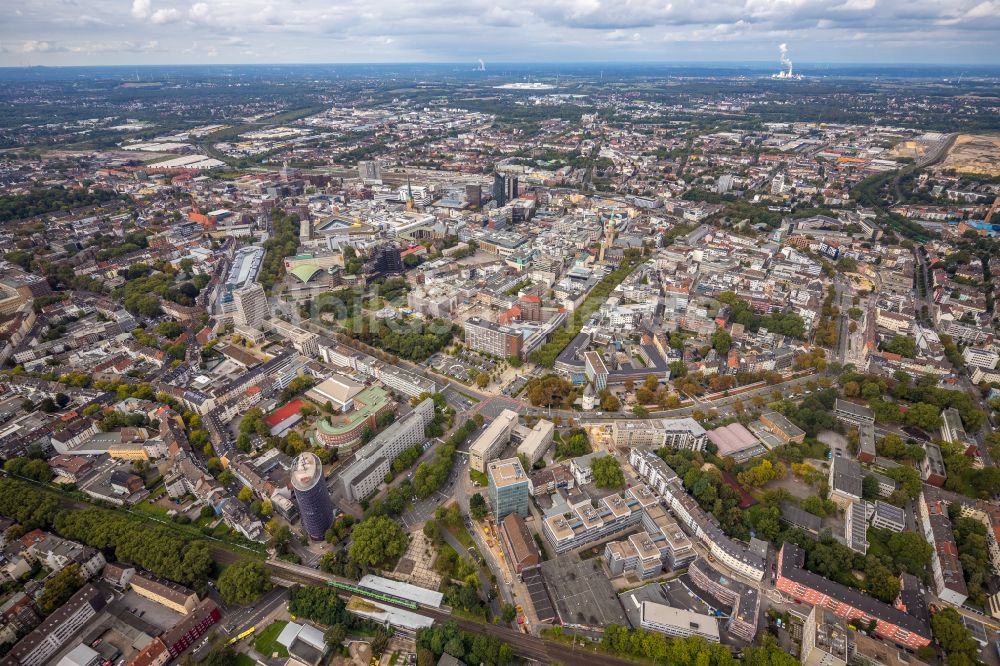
<point>138,32</point>
